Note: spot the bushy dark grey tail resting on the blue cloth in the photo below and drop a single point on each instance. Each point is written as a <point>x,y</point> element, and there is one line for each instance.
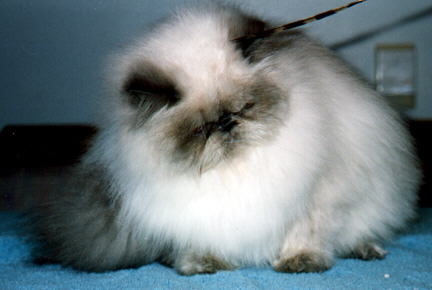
<point>79,228</point>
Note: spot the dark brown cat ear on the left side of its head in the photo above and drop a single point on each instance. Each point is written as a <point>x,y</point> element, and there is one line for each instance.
<point>148,86</point>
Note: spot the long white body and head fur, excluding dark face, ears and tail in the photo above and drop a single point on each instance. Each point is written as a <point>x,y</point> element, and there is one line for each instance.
<point>340,170</point>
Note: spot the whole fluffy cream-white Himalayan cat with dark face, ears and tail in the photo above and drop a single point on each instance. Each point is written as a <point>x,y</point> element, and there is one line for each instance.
<point>217,154</point>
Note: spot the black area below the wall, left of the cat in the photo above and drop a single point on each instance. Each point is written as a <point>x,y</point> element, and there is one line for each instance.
<point>36,160</point>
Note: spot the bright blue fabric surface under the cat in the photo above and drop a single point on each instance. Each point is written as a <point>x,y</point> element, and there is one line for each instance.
<point>407,266</point>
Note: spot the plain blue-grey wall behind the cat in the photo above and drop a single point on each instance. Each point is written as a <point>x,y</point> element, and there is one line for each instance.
<point>52,52</point>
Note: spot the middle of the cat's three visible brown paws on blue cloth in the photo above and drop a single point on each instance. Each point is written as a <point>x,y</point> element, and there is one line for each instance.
<point>303,262</point>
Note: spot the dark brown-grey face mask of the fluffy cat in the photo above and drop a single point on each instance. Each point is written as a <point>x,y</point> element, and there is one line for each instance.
<point>224,125</point>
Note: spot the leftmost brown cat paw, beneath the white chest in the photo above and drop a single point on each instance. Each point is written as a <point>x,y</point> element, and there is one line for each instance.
<point>191,264</point>
